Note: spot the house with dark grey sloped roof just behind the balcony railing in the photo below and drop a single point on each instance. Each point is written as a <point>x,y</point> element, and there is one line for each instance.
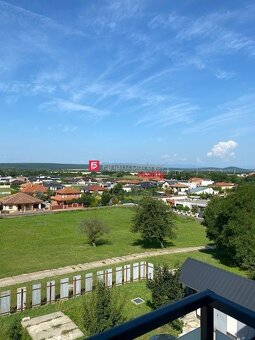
<point>198,276</point>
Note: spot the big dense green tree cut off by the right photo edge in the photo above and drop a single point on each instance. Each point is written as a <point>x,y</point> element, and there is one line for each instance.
<point>230,223</point>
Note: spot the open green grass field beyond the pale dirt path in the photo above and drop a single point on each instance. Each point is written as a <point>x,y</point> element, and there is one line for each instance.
<point>36,243</point>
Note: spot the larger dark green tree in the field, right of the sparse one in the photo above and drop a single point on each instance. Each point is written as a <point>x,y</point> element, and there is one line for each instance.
<point>154,220</point>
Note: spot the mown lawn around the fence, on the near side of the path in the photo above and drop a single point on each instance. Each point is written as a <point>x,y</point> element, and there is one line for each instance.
<point>73,307</point>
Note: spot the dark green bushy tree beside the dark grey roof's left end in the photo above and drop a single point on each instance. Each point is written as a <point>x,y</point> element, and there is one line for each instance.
<point>166,288</point>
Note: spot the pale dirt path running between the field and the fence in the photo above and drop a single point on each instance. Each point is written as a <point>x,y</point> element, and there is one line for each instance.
<point>13,280</point>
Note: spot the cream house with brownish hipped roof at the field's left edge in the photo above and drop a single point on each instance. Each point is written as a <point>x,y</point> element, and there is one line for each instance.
<point>19,202</point>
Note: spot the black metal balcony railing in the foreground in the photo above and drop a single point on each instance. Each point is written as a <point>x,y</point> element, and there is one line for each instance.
<point>206,300</point>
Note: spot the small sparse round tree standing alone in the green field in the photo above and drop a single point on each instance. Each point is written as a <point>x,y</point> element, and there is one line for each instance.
<point>94,228</point>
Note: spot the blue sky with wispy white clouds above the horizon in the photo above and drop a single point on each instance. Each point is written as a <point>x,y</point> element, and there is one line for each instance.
<point>143,81</point>
